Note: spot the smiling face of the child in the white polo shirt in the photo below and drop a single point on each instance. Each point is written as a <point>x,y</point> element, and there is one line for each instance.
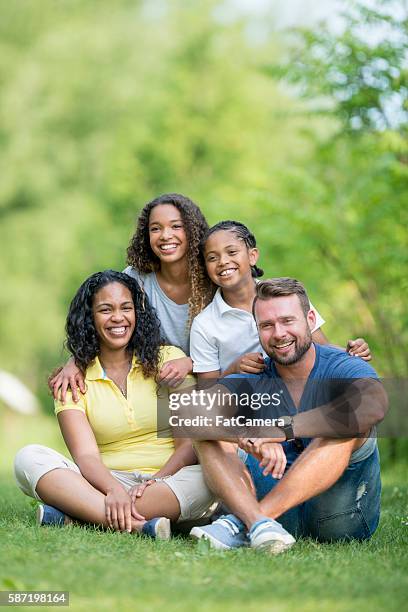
<point>228,259</point>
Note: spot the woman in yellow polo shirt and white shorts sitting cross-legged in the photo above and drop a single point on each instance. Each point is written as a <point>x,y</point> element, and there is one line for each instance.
<point>125,475</point>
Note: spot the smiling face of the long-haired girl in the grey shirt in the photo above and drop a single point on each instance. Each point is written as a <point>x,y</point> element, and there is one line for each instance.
<point>167,235</point>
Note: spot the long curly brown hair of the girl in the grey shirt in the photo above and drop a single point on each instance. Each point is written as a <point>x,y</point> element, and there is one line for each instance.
<point>141,257</point>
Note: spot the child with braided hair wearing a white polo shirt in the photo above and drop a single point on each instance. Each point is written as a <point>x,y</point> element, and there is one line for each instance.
<point>224,337</point>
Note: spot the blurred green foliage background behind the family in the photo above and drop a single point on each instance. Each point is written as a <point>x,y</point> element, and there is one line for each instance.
<point>302,135</point>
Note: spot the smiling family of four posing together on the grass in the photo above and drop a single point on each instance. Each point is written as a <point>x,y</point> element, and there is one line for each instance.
<point>129,334</point>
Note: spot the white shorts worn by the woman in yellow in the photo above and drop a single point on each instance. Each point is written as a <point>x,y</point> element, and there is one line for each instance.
<point>188,485</point>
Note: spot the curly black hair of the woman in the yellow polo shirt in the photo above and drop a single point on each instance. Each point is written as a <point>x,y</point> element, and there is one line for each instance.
<point>82,339</point>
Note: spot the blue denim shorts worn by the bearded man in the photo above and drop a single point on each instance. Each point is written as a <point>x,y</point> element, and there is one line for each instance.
<point>350,509</point>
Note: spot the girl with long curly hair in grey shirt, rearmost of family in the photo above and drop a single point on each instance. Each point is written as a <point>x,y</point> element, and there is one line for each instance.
<point>164,257</point>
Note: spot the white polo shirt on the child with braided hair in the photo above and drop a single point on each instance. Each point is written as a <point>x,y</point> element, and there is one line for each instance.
<point>220,334</point>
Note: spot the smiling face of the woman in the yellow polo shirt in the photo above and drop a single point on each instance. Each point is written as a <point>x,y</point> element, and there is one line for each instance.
<point>114,316</point>
